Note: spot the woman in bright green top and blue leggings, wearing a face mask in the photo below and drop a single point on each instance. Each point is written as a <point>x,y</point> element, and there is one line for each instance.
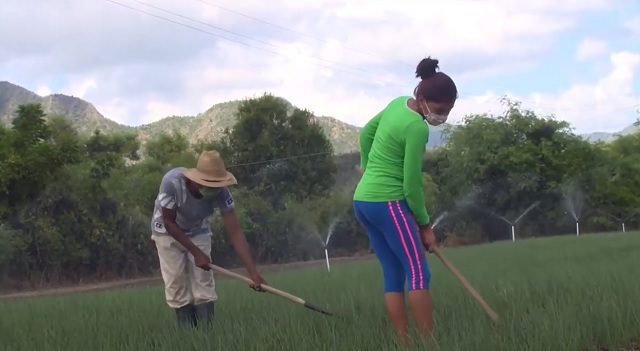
<point>389,199</point>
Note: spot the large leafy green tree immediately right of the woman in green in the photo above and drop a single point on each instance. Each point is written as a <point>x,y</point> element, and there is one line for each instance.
<point>500,165</point>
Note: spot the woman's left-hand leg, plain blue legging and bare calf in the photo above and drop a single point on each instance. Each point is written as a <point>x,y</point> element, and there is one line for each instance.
<point>392,269</point>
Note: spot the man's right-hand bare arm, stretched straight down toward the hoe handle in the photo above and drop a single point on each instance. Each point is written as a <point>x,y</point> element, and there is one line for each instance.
<point>234,232</point>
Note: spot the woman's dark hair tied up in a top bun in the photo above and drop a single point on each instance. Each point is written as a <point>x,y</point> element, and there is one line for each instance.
<point>434,85</point>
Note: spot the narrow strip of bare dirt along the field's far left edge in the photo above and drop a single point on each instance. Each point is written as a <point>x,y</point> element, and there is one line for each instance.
<point>156,280</point>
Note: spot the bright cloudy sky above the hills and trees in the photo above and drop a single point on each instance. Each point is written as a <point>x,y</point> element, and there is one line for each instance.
<point>576,59</point>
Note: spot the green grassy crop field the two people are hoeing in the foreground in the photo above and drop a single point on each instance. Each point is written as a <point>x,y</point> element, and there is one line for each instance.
<point>562,293</point>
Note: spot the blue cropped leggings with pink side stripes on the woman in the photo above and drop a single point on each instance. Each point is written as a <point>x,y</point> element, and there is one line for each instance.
<point>395,239</point>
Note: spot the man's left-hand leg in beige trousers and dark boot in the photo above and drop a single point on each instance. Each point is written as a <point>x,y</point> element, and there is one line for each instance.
<point>173,266</point>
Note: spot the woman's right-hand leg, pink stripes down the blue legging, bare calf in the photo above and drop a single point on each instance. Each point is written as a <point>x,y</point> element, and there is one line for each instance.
<point>404,240</point>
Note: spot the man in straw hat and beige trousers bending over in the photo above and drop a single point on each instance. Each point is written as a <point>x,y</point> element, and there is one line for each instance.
<point>187,198</point>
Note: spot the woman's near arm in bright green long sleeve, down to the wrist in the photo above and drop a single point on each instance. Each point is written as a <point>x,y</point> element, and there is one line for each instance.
<point>416,138</point>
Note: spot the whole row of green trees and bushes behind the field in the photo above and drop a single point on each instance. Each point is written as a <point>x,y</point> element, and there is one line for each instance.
<point>74,208</point>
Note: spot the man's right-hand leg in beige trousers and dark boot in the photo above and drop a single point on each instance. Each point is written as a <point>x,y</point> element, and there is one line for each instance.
<point>202,283</point>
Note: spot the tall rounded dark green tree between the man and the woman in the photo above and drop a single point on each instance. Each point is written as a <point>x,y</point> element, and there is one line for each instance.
<point>278,152</point>
